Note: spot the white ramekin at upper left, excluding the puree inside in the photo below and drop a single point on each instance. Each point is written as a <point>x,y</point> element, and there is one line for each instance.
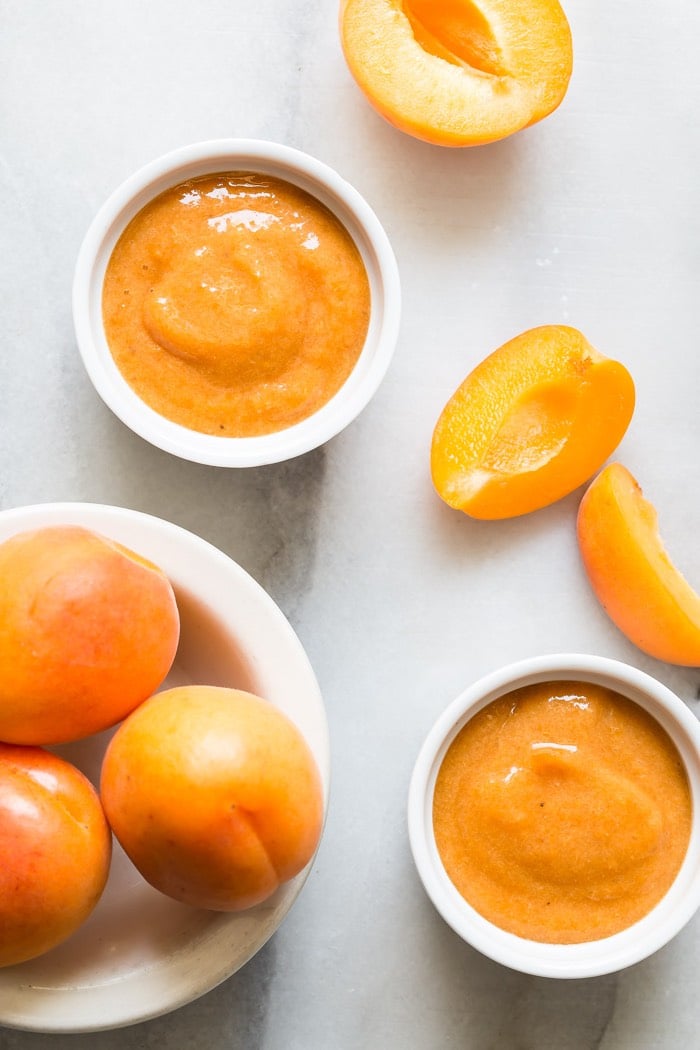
<point>319,180</point>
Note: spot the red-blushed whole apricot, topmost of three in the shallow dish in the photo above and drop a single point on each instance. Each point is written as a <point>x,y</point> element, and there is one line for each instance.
<point>88,632</point>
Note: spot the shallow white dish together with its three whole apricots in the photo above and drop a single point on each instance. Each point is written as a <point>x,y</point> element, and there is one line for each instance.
<point>164,767</point>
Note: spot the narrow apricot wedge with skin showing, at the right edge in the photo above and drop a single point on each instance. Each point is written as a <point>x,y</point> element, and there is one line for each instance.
<point>631,574</point>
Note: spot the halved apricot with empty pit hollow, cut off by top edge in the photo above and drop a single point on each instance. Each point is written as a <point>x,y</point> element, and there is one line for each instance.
<point>459,73</point>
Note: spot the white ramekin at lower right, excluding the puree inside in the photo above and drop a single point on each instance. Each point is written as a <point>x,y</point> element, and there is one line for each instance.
<point>593,958</point>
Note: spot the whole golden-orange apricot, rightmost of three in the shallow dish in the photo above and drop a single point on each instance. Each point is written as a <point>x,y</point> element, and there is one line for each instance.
<point>215,795</point>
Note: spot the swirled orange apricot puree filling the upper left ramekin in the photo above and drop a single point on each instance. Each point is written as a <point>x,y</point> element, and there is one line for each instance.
<point>236,305</point>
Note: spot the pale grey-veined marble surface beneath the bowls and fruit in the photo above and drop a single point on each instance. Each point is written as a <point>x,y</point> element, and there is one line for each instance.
<point>588,219</point>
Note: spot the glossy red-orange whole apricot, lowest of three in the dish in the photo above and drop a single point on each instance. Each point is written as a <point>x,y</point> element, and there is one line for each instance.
<point>55,852</point>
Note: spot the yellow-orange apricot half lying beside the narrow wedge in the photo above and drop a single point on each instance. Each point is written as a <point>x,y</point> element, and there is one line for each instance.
<point>531,425</point>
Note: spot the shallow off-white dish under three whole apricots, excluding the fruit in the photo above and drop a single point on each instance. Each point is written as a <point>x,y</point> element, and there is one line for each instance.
<point>141,954</point>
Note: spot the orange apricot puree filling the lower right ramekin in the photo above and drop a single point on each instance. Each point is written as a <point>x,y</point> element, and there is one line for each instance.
<point>562,812</point>
